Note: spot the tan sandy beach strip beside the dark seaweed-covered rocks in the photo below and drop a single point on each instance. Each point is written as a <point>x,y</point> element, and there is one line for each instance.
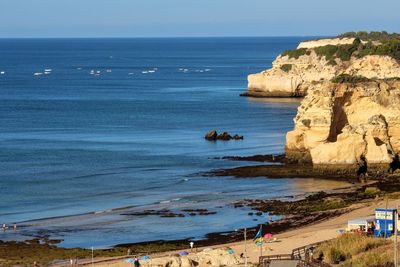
<point>287,240</point>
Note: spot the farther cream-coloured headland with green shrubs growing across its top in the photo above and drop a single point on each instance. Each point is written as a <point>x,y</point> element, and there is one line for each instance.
<point>294,71</point>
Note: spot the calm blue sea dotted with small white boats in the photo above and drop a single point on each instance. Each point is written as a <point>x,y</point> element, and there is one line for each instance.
<point>94,128</point>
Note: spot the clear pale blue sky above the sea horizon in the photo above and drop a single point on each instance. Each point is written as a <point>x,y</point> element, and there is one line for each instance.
<point>163,18</point>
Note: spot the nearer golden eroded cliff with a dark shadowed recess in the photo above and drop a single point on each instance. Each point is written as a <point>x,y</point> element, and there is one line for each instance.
<point>351,125</point>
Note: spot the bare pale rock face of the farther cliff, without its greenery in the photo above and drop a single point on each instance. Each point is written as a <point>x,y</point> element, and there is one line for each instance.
<point>292,76</point>
